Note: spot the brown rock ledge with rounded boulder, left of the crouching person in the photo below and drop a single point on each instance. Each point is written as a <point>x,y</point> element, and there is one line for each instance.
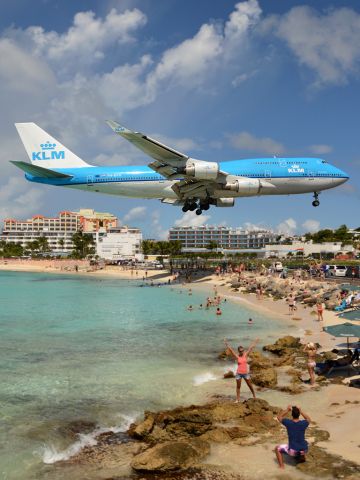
<point>178,439</point>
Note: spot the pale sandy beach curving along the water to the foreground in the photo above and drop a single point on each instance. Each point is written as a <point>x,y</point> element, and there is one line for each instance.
<point>332,407</point>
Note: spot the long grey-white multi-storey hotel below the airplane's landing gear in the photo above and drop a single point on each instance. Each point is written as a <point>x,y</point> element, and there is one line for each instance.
<point>226,238</point>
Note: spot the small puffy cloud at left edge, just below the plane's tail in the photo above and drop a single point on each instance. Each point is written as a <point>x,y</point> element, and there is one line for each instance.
<point>17,203</point>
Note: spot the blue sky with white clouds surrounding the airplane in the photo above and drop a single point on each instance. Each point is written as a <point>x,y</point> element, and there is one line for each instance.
<point>217,80</point>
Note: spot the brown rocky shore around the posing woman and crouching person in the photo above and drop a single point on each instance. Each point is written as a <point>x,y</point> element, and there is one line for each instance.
<point>180,443</point>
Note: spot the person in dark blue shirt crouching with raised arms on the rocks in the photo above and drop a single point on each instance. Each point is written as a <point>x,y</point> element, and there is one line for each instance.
<point>297,445</point>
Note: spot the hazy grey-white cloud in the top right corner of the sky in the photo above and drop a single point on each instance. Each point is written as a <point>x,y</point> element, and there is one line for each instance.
<point>328,43</point>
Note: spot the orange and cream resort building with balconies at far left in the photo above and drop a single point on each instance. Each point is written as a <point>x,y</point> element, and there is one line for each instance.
<point>58,230</point>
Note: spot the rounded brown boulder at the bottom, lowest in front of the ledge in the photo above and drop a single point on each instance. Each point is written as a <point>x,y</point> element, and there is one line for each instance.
<point>171,456</point>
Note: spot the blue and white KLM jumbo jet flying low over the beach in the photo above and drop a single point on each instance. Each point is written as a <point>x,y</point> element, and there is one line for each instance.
<point>172,176</point>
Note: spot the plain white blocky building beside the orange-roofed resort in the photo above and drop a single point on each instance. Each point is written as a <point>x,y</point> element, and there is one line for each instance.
<point>120,243</point>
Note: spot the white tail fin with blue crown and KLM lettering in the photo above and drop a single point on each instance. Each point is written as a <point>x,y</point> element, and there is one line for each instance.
<point>44,150</point>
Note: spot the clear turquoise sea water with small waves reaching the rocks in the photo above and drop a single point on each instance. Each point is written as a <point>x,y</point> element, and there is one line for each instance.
<point>101,351</point>
